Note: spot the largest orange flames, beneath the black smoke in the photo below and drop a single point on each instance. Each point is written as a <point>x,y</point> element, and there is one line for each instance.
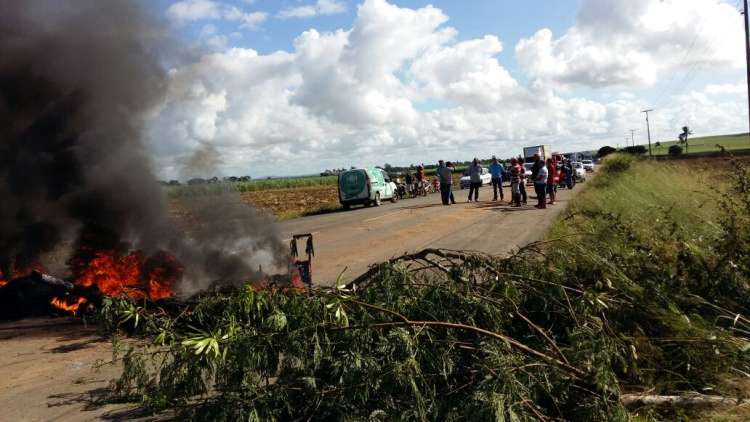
<point>130,275</point>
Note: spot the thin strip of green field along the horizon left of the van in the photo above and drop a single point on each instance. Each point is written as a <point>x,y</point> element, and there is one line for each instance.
<point>252,186</point>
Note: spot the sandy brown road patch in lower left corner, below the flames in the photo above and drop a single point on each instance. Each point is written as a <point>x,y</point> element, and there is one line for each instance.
<point>52,372</point>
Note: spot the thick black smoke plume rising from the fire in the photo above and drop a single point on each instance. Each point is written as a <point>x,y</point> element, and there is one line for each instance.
<point>77,80</point>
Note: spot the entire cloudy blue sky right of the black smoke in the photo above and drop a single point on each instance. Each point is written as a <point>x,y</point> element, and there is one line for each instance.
<point>293,87</point>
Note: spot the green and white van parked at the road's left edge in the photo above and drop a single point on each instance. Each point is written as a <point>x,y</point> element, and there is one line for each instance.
<point>367,186</point>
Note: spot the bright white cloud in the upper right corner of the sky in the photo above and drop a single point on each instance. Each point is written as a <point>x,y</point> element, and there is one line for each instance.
<point>631,43</point>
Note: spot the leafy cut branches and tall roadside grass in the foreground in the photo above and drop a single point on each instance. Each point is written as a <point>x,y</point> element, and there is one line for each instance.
<point>639,293</point>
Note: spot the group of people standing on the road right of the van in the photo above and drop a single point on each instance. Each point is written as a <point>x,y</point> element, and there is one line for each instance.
<point>543,175</point>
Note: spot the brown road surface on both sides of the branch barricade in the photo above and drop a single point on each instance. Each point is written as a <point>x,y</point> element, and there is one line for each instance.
<point>48,365</point>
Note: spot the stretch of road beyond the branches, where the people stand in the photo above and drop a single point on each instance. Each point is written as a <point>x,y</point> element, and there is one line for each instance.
<point>348,242</point>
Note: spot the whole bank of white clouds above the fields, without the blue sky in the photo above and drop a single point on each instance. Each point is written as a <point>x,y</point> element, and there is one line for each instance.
<point>400,86</point>
